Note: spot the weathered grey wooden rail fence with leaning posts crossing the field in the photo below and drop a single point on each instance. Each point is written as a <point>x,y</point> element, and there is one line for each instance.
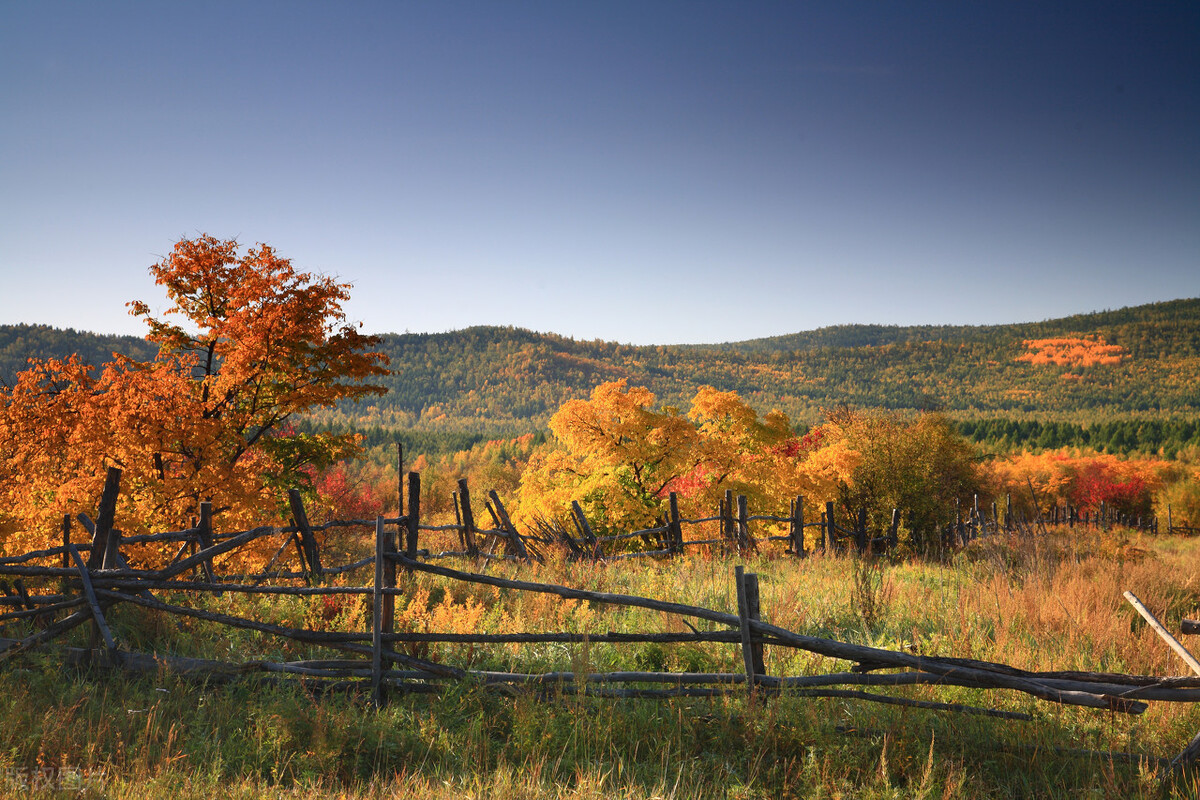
<point>371,661</point>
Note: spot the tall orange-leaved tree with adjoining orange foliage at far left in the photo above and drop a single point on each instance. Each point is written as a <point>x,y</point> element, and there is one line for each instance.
<point>256,344</point>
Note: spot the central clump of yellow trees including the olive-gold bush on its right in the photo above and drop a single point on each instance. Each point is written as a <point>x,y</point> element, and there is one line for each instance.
<point>620,458</point>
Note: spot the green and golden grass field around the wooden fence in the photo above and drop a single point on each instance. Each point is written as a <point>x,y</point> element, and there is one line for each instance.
<point>1047,604</point>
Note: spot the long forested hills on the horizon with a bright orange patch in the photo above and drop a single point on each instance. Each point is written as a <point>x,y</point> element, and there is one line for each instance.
<point>1136,370</point>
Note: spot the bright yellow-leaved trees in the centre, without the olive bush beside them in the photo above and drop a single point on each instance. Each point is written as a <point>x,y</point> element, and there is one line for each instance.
<point>621,458</point>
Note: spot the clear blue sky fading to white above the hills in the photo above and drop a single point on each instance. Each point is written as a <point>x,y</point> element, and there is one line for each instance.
<point>647,172</point>
